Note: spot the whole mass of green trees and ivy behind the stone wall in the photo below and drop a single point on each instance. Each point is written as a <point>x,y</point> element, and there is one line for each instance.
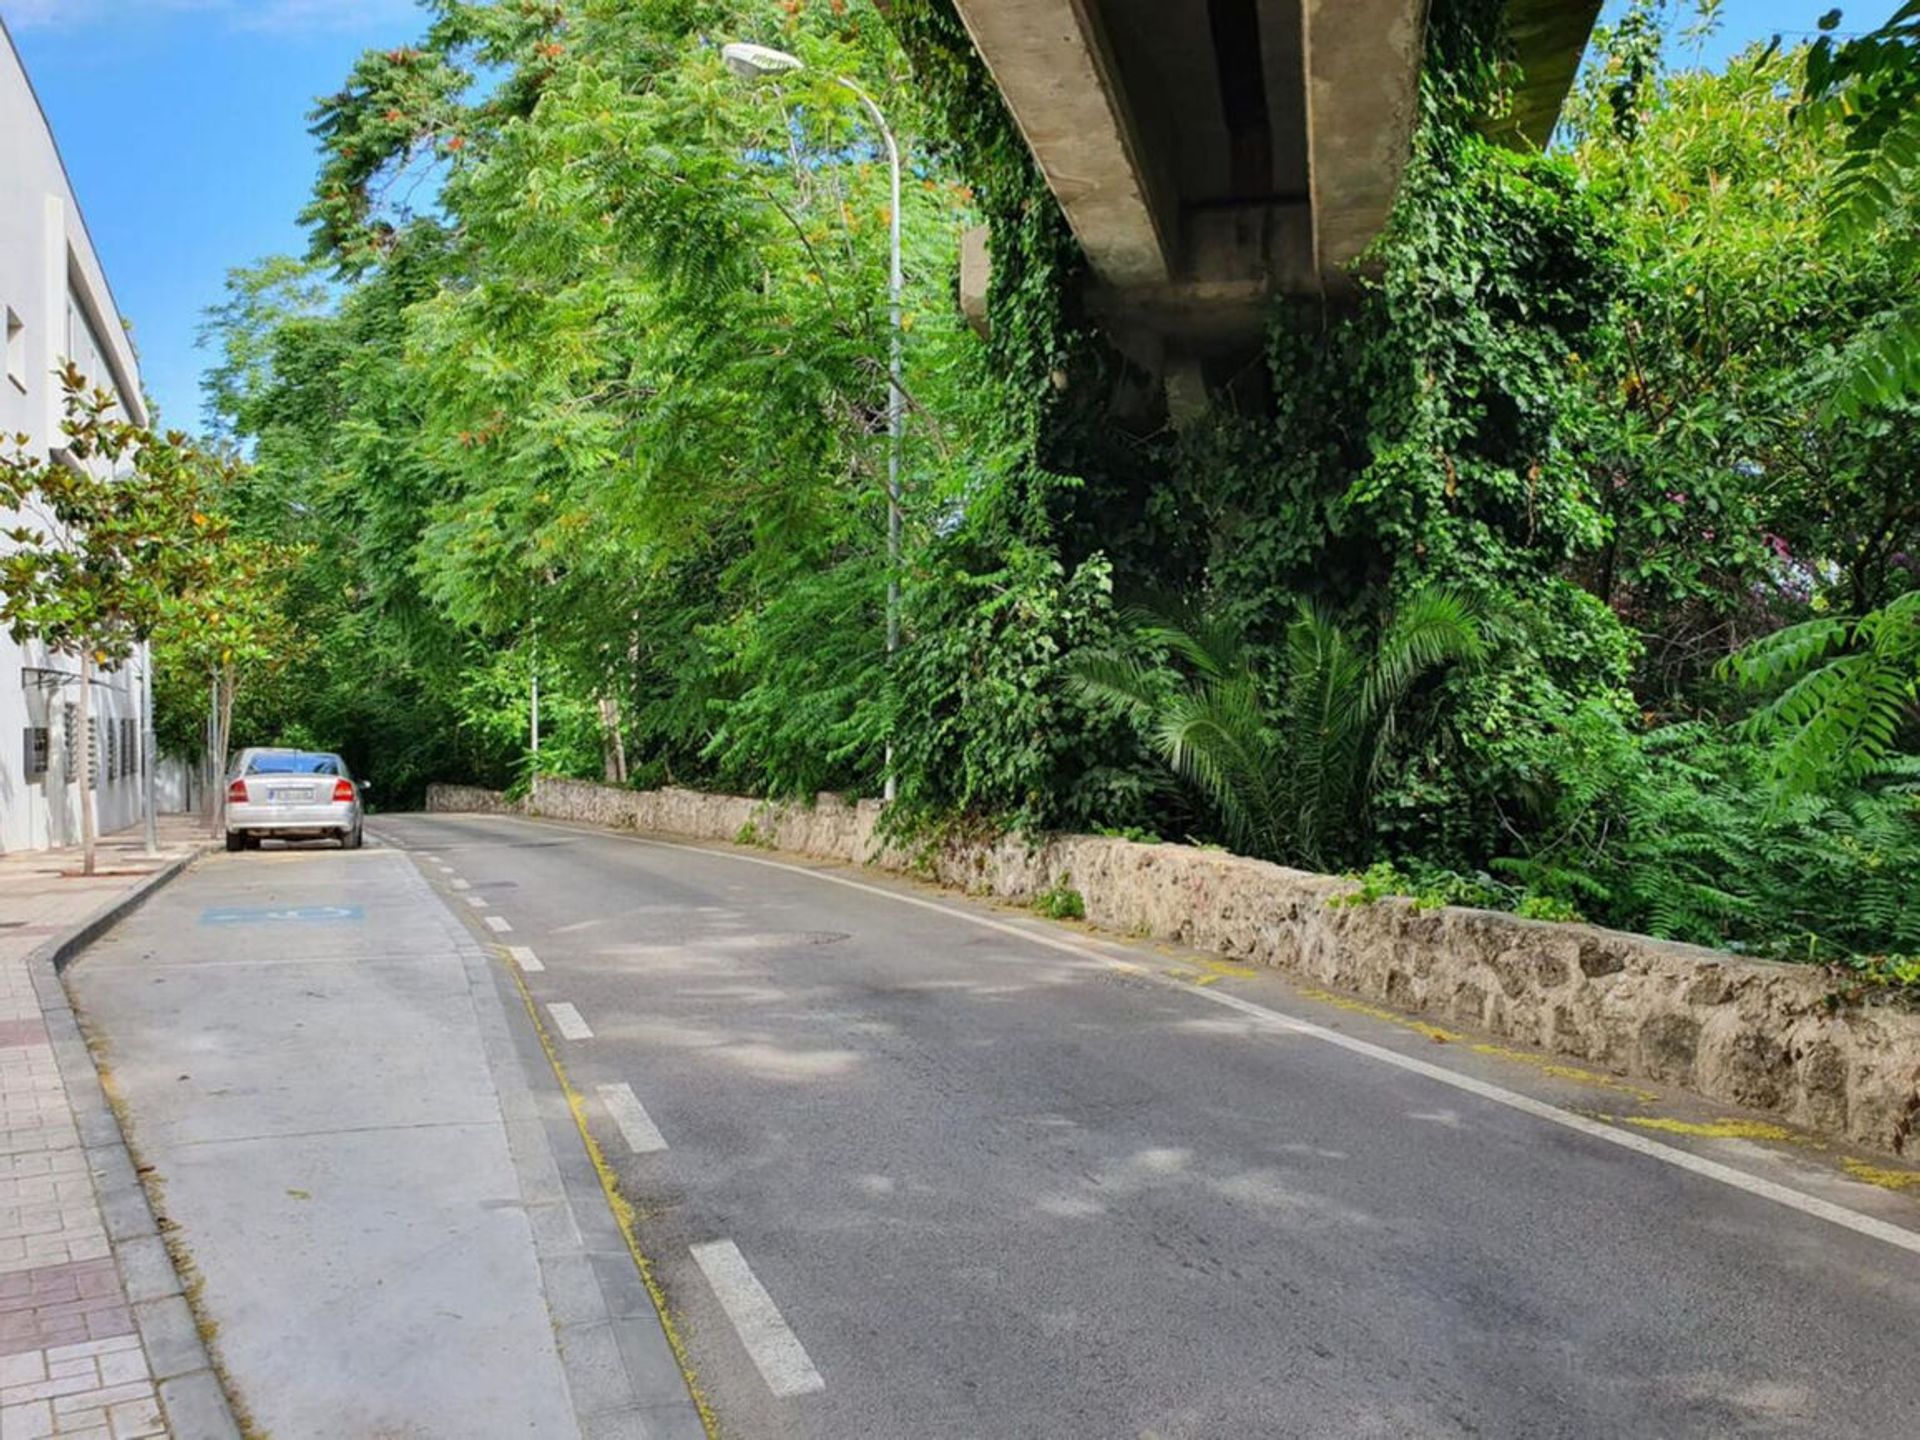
<point>587,377</point>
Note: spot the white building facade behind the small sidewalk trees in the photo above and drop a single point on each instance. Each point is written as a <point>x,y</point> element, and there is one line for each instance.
<point>57,306</point>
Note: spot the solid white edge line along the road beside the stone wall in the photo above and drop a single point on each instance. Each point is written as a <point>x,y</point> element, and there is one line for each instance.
<point>1687,1161</point>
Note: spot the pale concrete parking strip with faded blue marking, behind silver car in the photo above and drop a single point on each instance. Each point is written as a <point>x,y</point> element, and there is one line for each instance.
<point>366,1157</point>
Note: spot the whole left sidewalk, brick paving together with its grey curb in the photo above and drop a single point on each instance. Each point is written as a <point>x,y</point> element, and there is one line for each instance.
<point>95,1335</point>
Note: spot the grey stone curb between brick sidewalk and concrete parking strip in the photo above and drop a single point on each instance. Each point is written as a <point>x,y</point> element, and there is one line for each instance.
<point>189,1387</point>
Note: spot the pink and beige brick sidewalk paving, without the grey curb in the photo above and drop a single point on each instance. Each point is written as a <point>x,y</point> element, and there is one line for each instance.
<point>72,1362</point>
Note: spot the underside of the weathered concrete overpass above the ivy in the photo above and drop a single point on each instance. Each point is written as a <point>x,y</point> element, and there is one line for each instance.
<point>1211,155</point>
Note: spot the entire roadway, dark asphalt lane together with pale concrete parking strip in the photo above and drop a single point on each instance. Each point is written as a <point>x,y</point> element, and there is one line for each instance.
<point>911,1166</point>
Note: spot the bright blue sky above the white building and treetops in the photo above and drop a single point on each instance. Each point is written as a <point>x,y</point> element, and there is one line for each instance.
<point>183,126</point>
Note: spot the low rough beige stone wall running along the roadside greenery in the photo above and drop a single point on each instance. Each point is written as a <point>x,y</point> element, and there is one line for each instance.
<point>1744,1032</point>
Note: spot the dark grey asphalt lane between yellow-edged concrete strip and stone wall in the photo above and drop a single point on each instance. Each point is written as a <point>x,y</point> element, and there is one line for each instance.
<point>911,1176</point>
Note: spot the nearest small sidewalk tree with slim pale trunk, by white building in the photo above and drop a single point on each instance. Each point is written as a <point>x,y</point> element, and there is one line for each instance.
<point>110,531</point>
